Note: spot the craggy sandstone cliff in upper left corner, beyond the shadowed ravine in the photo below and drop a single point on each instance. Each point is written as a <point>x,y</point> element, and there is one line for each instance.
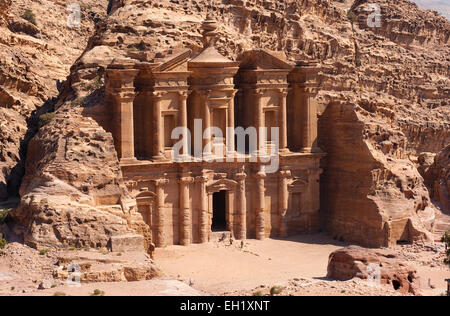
<point>34,60</point>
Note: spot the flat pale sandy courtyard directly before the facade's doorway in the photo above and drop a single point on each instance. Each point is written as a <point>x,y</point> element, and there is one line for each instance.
<point>217,268</point>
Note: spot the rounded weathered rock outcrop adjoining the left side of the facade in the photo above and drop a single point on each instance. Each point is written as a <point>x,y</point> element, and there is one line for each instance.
<point>73,193</point>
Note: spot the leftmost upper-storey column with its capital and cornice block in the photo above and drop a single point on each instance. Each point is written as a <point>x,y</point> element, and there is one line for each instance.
<point>120,87</point>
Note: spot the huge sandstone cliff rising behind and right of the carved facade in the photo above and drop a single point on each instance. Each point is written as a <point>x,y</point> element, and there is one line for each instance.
<point>384,95</point>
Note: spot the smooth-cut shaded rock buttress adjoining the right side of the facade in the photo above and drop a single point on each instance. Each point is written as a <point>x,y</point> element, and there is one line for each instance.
<point>368,197</point>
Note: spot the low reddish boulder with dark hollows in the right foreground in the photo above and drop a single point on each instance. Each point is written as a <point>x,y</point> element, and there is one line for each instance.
<point>356,262</point>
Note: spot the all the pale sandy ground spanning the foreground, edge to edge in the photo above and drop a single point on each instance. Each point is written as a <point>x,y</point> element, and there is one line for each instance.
<point>298,265</point>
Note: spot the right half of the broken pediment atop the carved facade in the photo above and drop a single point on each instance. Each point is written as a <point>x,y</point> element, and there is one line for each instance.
<point>264,60</point>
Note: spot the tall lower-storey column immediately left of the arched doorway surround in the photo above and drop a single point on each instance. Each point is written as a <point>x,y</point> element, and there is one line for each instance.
<point>185,209</point>
